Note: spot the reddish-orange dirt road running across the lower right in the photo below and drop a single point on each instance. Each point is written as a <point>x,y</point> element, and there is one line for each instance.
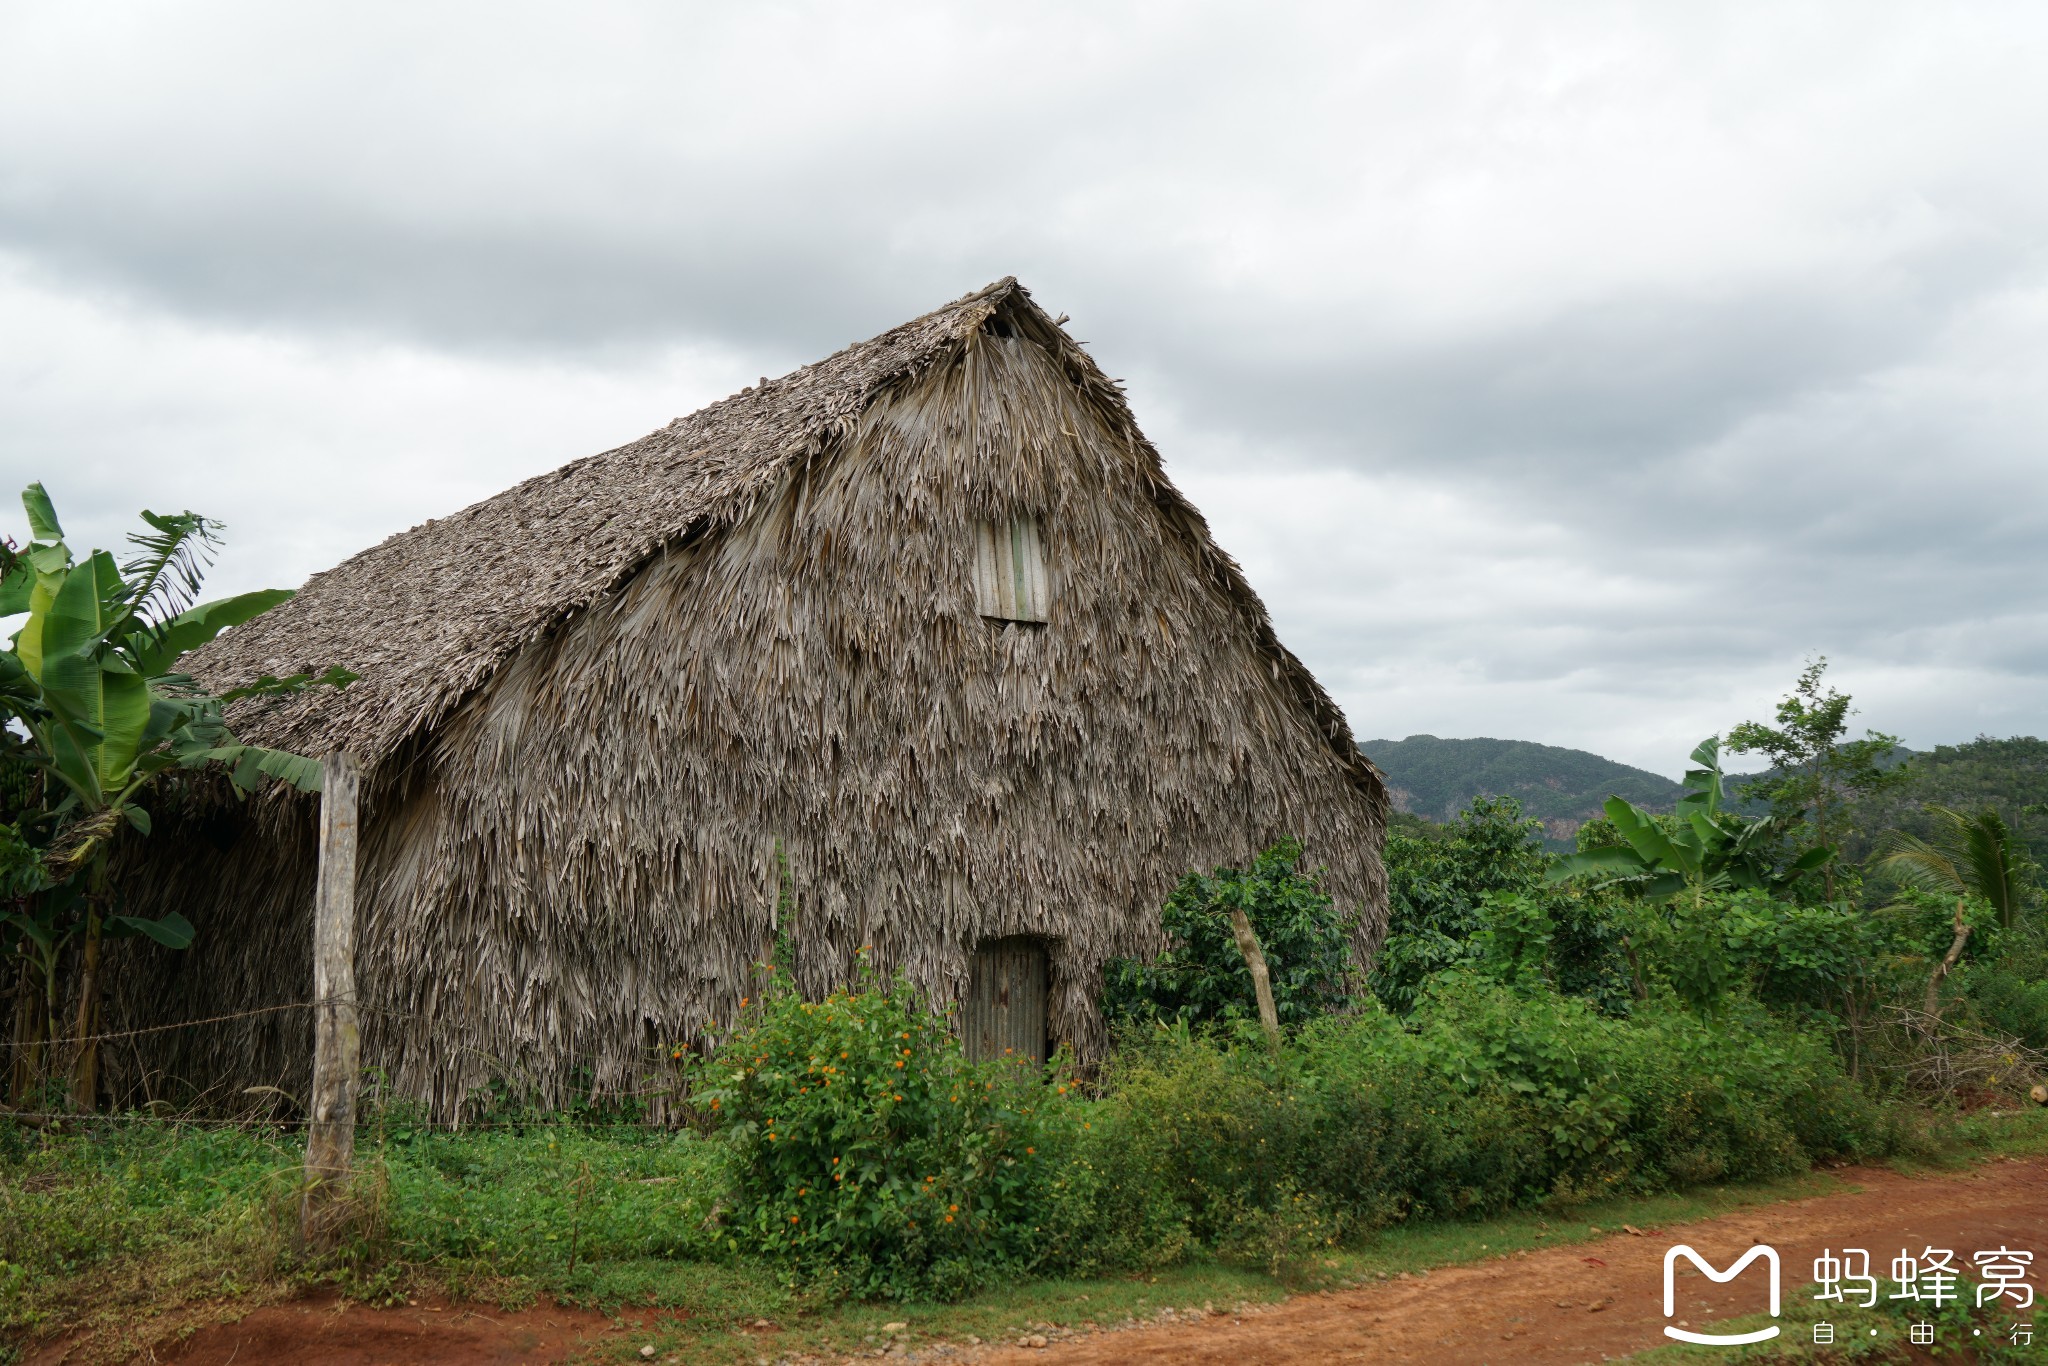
<point>1603,1299</point>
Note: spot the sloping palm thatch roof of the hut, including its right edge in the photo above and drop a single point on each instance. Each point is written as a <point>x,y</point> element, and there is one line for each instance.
<point>433,611</point>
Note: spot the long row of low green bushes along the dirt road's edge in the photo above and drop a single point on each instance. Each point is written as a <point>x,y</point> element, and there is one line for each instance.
<point>1486,1099</point>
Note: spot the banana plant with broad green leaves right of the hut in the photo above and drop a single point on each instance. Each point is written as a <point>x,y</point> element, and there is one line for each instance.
<point>1703,849</point>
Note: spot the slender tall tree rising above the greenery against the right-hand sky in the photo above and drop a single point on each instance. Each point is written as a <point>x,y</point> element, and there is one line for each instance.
<point>1816,773</point>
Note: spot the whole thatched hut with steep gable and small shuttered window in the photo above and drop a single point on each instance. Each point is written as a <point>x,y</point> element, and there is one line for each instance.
<point>914,648</point>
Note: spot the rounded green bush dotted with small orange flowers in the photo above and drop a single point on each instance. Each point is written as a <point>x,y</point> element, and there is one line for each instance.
<point>867,1150</point>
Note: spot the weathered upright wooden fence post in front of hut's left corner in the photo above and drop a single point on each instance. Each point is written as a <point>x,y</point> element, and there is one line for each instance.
<point>331,1138</point>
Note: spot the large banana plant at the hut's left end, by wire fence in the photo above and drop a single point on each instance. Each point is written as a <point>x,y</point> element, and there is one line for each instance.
<point>91,681</point>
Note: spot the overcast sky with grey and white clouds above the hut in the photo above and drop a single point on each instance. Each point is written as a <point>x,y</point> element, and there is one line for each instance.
<point>1558,372</point>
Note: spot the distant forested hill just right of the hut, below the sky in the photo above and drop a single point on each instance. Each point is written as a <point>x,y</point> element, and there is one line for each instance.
<point>1560,787</point>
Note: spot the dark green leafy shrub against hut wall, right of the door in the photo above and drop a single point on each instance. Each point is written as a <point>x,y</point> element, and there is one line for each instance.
<point>1203,976</point>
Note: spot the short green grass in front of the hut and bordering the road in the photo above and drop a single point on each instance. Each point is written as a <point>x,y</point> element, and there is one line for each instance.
<point>126,1232</point>
